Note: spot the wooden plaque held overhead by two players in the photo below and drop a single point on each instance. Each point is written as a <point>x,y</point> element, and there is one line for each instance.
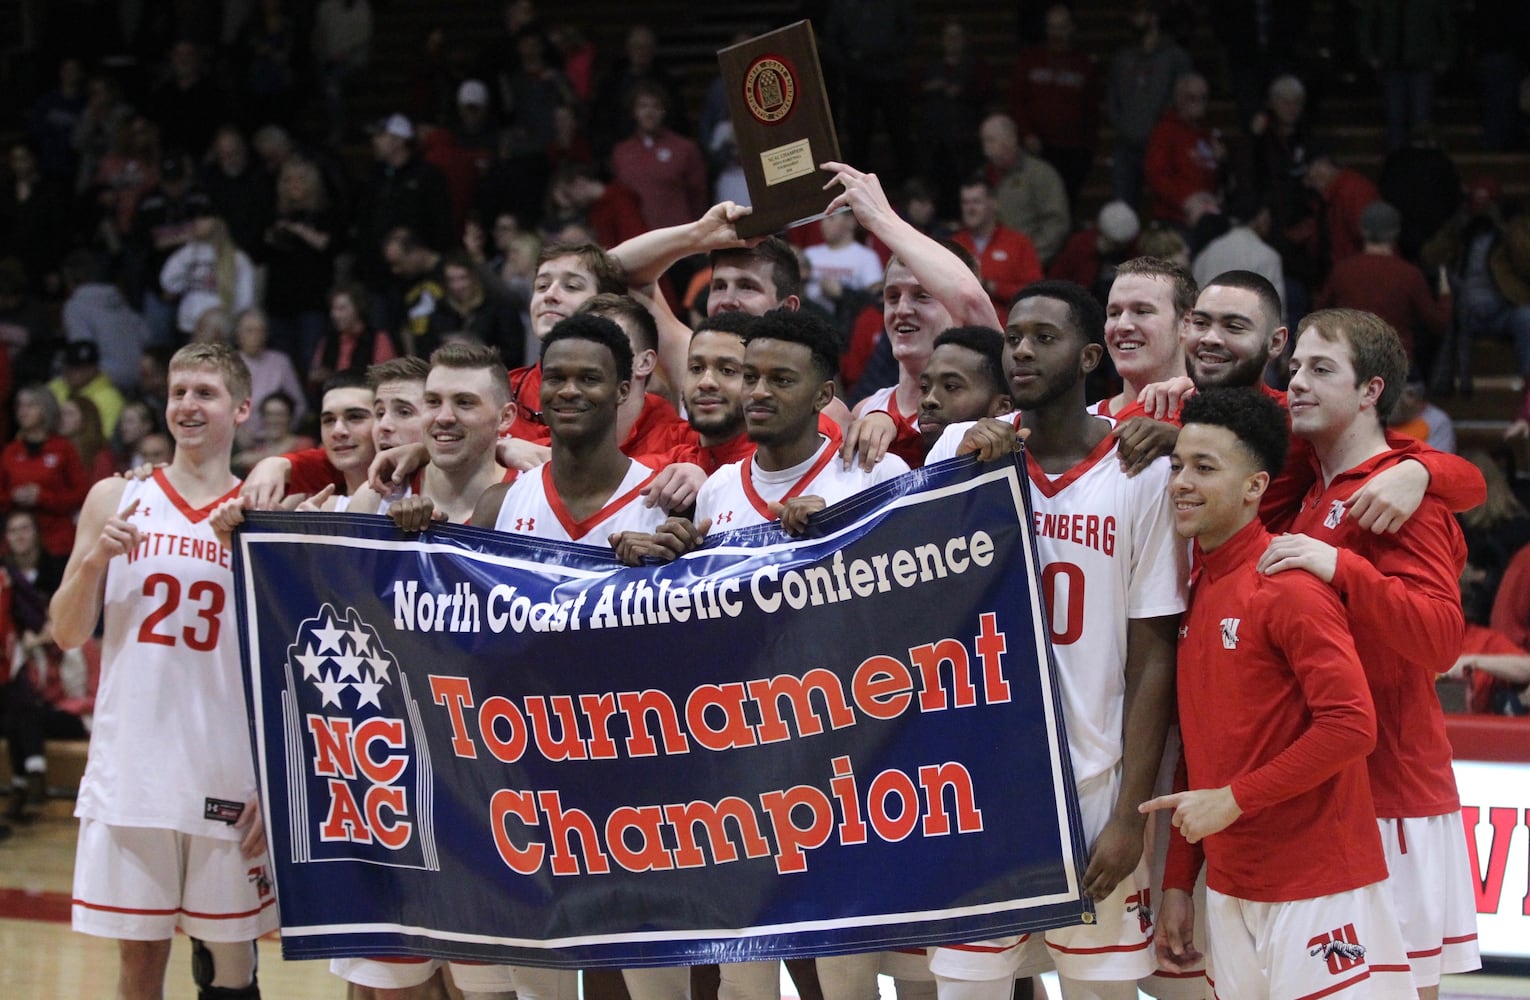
<point>783,125</point>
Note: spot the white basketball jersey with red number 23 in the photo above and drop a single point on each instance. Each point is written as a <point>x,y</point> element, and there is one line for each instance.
<point>171,744</point>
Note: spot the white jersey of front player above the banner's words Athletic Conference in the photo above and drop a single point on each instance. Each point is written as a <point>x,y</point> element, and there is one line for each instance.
<point>740,495</point>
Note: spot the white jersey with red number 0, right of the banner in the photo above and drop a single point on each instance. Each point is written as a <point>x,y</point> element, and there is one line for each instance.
<point>1108,554</point>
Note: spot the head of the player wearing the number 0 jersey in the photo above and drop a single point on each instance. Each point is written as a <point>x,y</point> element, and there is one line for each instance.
<point>1046,357</point>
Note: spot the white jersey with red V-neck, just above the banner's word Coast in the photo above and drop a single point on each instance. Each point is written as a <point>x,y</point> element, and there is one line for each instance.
<point>533,507</point>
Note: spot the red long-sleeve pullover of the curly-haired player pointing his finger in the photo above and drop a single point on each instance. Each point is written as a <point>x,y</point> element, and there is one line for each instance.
<point>1274,703</point>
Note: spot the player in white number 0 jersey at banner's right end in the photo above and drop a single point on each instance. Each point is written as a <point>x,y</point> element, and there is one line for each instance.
<point>1116,602</point>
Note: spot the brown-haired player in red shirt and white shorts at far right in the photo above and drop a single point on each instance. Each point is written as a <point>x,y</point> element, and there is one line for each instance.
<point>1405,612</point>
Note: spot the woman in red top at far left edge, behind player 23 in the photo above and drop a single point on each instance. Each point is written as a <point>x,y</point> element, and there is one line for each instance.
<point>41,472</point>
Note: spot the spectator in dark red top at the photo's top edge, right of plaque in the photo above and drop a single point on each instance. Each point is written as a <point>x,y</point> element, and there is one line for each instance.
<point>1055,100</point>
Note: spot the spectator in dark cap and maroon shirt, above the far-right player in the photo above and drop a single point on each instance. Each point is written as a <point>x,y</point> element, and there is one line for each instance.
<point>1378,281</point>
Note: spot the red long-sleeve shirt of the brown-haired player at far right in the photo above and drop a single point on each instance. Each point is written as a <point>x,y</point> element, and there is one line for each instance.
<point>1405,614</point>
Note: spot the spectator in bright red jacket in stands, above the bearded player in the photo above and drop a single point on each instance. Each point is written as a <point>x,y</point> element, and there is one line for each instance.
<point>1183,154</point>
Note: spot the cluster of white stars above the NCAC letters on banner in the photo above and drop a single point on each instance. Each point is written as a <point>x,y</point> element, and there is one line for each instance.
<point>337,654</point>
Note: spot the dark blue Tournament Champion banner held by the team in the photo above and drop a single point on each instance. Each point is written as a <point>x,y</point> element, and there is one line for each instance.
<point>483,747</point>
